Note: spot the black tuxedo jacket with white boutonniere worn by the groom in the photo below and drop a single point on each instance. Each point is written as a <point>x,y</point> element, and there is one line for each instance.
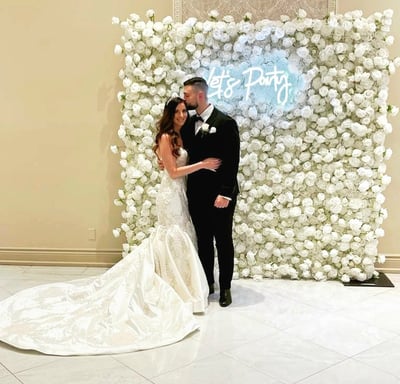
<point>205,185</point>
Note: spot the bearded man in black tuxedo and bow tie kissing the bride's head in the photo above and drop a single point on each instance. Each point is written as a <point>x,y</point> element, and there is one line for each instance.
<point>212,195</point>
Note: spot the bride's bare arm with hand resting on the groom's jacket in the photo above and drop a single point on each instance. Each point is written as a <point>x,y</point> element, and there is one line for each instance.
<point>169,161</point>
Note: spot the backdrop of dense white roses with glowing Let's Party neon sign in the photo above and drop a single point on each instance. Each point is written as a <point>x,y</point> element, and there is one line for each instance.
<point>313,152</point>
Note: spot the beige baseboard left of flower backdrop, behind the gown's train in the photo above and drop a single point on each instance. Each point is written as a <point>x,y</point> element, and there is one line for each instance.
<point>61,257</point>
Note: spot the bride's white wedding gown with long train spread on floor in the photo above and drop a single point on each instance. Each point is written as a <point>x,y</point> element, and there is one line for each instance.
<point>144,301</point>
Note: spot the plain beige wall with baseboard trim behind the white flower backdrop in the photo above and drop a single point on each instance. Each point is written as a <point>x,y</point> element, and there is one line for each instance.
<point>59,116</point>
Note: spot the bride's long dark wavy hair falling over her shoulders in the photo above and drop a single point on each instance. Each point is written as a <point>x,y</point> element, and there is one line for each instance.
<point>166,125</point>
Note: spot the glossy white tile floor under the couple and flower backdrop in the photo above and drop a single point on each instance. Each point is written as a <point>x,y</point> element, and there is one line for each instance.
<point>275,332</point>
